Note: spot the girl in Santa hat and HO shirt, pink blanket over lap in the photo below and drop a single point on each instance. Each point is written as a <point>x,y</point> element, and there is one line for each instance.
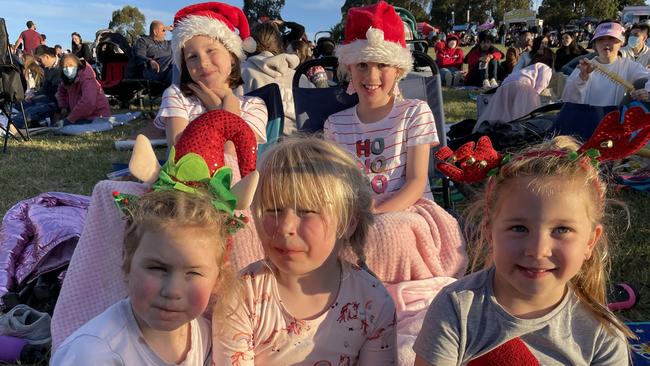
<point>413,238</point>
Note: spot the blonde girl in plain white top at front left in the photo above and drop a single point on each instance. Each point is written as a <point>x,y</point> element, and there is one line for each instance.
<point>174,261</point>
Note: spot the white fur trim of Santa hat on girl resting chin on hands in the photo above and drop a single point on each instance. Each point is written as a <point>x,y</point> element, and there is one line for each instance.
<point>195,25</point>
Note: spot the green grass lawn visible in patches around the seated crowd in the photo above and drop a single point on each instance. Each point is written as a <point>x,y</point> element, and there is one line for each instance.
<point>75,164</point>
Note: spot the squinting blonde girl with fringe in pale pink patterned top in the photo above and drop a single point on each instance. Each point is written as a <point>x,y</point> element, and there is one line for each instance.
<point>303,304</point>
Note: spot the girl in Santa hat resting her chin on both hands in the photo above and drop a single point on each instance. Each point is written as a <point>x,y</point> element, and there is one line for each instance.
<point>208,51</point>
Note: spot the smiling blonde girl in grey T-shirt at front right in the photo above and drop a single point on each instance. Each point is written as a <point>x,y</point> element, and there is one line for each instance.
<point>543,243</point>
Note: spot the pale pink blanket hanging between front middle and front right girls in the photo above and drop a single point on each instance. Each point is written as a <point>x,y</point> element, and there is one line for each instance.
<point>412,299</point>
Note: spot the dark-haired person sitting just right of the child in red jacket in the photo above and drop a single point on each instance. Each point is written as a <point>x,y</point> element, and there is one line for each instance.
<point>483,62</point>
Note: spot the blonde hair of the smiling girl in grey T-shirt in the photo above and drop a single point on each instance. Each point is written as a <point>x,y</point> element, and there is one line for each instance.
<point>539,163</point>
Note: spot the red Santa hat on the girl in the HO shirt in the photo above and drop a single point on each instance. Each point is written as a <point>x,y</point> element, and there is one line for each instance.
<point>375,33</point>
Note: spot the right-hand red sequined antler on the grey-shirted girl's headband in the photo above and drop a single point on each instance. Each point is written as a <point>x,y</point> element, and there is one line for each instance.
<point>614,139</point>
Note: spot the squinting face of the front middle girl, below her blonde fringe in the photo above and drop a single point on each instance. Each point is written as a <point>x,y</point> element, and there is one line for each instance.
<point>298,241</point>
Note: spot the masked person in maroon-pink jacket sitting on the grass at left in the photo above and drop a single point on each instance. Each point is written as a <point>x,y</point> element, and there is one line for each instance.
<point>80,97</point>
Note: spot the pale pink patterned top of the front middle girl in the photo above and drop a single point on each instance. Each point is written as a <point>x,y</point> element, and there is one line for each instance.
<point>358,329</point>
